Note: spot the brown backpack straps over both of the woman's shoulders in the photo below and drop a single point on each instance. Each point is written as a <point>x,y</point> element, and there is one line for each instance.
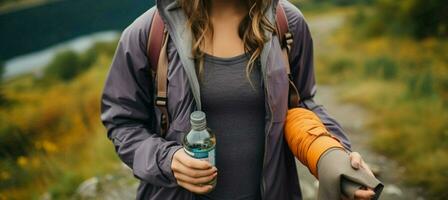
<point>156,52</point>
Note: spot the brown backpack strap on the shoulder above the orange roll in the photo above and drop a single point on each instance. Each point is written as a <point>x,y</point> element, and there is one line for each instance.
<point>286,39</point>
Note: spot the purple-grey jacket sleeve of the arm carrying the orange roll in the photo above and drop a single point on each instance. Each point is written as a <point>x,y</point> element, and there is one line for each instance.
<point>302,69</point>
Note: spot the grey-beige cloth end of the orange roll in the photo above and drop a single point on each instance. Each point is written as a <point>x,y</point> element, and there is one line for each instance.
<point>337,177</point>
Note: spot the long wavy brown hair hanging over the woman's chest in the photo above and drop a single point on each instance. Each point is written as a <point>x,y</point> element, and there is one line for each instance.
<point>251,29</point>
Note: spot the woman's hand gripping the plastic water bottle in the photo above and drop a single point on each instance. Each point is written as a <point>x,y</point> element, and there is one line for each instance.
<point>193,174</point>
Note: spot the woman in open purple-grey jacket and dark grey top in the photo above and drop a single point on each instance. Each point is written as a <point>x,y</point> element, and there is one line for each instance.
<point>243,90</point>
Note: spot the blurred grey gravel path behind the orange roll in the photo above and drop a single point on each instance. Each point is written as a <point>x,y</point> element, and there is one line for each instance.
<point>353,119</point>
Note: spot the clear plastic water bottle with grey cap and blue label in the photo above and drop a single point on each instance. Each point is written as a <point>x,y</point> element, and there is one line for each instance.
<point>200,142</point>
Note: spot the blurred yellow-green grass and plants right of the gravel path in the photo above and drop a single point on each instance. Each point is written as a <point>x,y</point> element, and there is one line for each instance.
<point>404,81</point>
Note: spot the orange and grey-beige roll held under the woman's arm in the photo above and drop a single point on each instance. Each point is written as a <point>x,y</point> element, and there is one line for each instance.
<point>323,154</point>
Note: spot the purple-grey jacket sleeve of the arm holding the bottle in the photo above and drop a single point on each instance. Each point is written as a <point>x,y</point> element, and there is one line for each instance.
<point>127,109</point>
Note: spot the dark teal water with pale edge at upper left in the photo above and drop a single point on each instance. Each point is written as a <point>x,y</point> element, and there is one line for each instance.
<point>32,35</point>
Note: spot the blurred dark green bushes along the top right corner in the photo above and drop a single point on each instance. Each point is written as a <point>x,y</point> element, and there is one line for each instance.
<point>418,18</point>
